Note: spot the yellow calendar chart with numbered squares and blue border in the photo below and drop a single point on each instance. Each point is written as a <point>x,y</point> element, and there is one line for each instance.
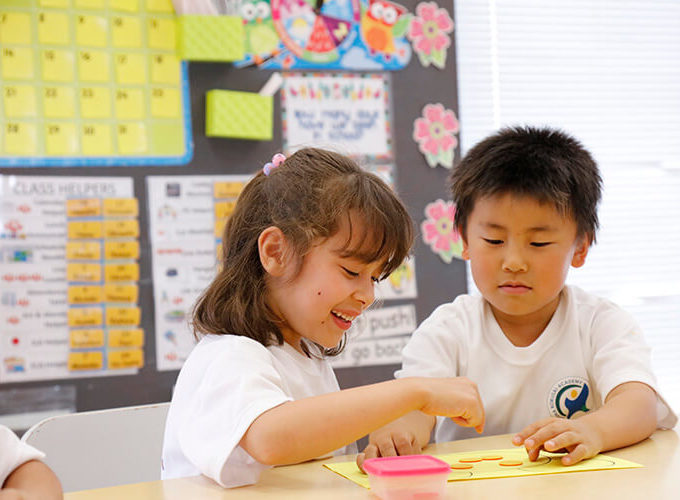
<point>92,82</point>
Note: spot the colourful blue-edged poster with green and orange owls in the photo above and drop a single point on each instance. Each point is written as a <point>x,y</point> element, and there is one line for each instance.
<point>333,34</point>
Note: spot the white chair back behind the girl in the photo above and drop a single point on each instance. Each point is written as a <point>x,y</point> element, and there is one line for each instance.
<point>96,449</point>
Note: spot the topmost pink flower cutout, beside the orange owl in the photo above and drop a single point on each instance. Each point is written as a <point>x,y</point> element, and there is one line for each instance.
<point>429,33</point>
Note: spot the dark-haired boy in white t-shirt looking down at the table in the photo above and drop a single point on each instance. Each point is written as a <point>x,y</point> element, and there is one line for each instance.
<point>569,369</point>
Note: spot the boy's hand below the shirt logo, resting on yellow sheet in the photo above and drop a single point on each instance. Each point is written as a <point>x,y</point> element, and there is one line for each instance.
<point>576,437</point>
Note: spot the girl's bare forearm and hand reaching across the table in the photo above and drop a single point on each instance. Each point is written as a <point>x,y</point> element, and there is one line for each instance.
<point>307,428</point>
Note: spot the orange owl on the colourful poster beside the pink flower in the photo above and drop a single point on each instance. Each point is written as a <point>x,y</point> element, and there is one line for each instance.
<point>381,23</point>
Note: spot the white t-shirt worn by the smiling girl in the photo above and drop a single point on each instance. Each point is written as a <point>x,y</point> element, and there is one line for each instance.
<point>225,384</point>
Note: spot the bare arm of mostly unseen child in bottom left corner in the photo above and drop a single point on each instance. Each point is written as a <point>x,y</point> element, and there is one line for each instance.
<point>32,480</point>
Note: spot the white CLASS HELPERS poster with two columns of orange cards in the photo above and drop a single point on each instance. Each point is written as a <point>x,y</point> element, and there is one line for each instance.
<point>69,273</point>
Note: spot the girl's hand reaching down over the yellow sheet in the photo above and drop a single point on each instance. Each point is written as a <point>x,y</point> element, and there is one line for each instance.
<point>456,398</point>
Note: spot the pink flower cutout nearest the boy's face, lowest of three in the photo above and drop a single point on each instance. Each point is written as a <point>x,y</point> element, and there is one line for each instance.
<point>439,231</point>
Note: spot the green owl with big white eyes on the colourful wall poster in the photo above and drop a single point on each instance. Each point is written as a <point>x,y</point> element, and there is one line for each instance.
<point>261,39</point>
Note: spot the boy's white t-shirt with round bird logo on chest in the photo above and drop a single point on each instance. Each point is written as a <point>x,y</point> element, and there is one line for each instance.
<point>589,347</point>
